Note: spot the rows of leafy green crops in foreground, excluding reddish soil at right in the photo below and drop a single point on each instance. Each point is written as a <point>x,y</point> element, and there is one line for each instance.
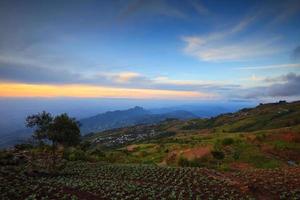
<point>103,181</point>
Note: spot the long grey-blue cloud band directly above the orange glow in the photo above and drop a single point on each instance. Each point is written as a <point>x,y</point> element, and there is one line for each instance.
<point>29,71</point>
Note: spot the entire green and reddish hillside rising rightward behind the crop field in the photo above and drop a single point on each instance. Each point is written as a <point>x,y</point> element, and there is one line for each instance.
<point>267,136</point>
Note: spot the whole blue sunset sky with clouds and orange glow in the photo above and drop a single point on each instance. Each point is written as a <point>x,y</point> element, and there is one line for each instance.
<point>155,50</point>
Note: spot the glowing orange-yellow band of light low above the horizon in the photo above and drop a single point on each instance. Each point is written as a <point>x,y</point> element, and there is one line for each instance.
<point>92,91</point>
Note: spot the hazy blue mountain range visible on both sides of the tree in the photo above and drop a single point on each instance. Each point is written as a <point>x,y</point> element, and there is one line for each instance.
<point>105,121</point>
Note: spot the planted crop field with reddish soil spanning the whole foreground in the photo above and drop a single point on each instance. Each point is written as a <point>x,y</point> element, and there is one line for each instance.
<point>83,180</point>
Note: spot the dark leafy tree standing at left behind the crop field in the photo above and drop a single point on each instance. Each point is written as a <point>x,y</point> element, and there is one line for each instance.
<point>60,130</point>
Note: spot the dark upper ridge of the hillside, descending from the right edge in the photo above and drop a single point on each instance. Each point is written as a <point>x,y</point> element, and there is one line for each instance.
<point>264,116</point>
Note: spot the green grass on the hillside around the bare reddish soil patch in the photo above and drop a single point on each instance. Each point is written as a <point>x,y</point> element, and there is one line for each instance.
<point>237,147</point>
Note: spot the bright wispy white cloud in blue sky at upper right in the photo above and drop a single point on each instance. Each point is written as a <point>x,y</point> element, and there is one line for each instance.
<point>222,46</point>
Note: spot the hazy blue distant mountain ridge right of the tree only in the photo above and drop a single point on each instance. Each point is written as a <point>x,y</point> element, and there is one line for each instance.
<point>123,118</point>
